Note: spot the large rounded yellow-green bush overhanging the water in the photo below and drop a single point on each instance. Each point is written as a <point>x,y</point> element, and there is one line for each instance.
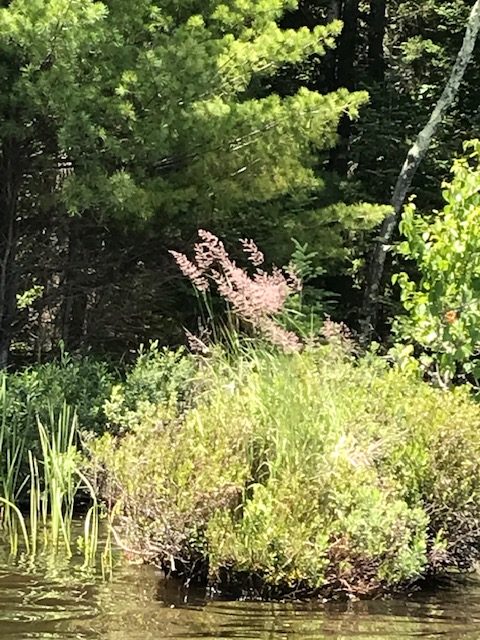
<point>302,473</point>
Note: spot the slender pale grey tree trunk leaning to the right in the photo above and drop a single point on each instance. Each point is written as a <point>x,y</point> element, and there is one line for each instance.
<point>410,166</point>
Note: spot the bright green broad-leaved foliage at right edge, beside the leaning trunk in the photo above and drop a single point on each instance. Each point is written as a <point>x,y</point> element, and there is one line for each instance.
<point>443,307</point>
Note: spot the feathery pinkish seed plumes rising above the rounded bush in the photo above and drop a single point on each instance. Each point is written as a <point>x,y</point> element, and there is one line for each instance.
<point>255,299</point>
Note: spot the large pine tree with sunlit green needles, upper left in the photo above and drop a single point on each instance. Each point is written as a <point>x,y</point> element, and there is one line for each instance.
<point>150,110</point>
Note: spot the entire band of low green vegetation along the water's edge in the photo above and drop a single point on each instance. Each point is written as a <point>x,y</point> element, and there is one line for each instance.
<point>258,472</point>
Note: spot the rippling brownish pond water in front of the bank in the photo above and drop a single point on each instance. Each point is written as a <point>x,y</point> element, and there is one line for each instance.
<point>53,600</point>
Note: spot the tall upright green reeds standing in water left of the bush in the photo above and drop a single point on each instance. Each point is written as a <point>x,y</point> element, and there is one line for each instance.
<point>49,492</point>
